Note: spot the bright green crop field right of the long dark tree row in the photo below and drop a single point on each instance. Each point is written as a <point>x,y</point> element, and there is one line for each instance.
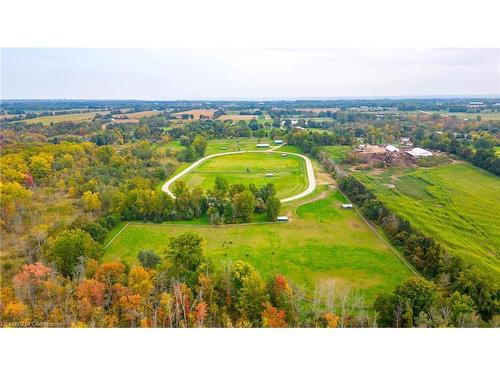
<point>456,204</point>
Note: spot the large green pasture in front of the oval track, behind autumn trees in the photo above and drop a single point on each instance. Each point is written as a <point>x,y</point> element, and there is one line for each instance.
<point>322,242</point>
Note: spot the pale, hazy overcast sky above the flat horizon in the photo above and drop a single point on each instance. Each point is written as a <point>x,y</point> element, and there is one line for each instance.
<point>177,74</point>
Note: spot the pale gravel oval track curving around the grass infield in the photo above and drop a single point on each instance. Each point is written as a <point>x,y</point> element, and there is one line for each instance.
<point>310,173</point>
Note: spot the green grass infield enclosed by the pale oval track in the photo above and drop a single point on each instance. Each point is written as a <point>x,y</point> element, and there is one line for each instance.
<point>289,173</point>
